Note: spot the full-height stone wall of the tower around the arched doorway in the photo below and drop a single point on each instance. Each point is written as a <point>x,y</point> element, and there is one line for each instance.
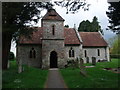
<point>52,42</point>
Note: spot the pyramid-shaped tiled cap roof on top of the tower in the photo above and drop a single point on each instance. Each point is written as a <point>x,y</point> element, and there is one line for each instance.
<point>52,15</point>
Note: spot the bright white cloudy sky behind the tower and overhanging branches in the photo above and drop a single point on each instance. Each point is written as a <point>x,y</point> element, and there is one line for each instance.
<point>98,8</point>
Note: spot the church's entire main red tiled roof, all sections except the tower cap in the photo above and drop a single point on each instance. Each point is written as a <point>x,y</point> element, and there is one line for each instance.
<point>88,38</point>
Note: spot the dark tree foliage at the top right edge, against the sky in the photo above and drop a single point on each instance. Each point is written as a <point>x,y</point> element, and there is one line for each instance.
<point>114,16</point>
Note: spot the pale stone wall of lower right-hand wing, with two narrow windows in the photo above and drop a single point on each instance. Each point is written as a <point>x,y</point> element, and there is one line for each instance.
<point>93,52</point>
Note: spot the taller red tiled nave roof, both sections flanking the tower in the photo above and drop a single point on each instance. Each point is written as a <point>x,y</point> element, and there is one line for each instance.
<point>69,34</point>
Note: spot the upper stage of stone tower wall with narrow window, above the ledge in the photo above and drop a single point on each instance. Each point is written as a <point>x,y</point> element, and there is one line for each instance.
<point>59,29</point>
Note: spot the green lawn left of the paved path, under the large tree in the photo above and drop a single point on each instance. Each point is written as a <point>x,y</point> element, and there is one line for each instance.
<point>30,78</point>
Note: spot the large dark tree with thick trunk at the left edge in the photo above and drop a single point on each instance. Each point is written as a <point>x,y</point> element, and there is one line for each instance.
<point>16,18</point>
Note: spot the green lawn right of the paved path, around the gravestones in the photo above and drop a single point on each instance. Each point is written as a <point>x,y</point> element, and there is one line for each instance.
<point>97,77</point>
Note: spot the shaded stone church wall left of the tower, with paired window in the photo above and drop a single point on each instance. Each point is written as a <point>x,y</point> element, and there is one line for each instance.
<point>23,52</point>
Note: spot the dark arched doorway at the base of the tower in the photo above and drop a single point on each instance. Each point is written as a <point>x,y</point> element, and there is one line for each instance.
<point>53,59</point>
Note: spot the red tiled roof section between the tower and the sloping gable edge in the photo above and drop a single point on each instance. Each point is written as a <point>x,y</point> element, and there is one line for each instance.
<point>70,36</point>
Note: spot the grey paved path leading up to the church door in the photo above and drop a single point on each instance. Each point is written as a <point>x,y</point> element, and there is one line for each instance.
<point>54,79</point>
